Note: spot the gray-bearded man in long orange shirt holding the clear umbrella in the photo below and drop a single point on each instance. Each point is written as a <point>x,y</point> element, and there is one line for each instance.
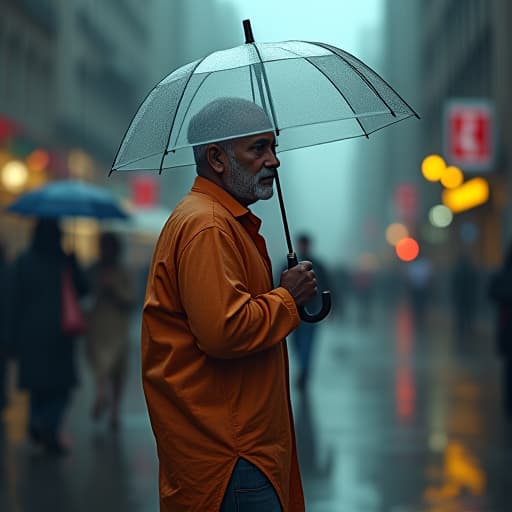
<point>214,360</point>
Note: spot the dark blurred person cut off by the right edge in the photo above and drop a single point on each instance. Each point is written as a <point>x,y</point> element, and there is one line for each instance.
<point>500,292</point>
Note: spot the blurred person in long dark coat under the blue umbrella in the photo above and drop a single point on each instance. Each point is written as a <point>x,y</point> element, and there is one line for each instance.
<point>45,354</point>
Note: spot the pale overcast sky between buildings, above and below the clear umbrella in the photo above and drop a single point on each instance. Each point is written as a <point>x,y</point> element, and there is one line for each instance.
<point>315,180</point>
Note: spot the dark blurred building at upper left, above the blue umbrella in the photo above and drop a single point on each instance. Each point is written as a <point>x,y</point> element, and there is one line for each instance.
<point>73,72</point>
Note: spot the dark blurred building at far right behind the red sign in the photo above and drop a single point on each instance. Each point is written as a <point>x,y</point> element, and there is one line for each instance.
<point>466,53</point>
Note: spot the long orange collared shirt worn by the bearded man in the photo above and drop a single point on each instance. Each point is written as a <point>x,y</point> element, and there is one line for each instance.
<point>214,361</point>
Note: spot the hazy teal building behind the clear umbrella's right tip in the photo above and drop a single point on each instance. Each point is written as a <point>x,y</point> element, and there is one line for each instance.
<point>387,185</point>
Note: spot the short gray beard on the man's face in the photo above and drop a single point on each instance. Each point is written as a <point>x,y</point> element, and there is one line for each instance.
<point>245,186</point>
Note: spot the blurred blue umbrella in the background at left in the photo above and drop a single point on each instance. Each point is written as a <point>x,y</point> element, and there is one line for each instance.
<point>68,198</point>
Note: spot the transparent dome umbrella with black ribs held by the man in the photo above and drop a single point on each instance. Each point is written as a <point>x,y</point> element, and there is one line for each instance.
<point>313,93</point>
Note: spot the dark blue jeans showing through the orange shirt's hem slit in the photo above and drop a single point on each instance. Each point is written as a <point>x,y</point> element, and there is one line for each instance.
<point>249,490</point>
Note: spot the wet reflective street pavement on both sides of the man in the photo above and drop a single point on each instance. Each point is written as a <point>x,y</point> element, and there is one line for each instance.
<point>397,418</point>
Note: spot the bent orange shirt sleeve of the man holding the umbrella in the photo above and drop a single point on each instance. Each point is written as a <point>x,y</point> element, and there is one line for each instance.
<point>225,318</point>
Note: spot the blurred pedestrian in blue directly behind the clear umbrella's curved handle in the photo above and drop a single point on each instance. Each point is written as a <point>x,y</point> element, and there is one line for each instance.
<point>304,335</point>
